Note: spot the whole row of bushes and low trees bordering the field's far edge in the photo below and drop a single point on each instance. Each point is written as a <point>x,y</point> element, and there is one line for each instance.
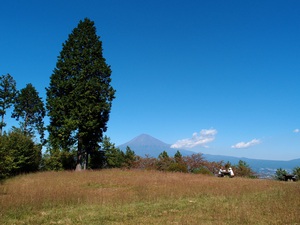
<point>20,154</point>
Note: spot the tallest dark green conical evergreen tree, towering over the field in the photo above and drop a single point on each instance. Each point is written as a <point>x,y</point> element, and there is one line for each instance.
<point>79,97</point>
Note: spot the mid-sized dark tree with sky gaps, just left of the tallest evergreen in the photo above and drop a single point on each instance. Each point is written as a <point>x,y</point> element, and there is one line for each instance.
<point>30,108</point>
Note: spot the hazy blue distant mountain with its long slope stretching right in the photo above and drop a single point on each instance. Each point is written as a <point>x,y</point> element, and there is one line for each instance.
<point>145,144</point>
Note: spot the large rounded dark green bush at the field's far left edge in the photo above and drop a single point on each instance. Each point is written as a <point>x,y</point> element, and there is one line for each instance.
<point>18,154</point>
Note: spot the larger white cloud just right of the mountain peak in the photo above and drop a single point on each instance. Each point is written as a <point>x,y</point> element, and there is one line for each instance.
<point>201,139</point>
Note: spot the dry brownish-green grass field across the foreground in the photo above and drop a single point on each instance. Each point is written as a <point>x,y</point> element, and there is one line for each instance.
<point>146,197</point>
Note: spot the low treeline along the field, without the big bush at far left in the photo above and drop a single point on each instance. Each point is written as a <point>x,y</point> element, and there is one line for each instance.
<point>109,156</point>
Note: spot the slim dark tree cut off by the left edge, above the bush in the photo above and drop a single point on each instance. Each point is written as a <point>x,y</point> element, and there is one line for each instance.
<point>7,95</point>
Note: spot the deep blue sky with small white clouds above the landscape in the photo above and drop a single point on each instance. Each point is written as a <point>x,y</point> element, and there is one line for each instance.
<point>217,77</point>
